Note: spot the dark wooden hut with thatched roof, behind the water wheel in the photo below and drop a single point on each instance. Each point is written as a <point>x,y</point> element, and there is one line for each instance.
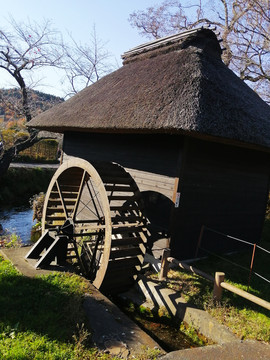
<point>194,136</point>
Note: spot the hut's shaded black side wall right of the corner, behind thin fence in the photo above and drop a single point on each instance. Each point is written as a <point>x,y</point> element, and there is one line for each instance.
<point>224,188</point>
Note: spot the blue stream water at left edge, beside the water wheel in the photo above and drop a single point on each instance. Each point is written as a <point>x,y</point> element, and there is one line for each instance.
<point>19,221</point>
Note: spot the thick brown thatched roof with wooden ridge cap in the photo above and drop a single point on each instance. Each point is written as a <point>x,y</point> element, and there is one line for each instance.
<point>175,85</point>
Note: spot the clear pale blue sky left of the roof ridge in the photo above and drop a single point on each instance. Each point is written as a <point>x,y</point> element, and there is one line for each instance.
<point>110,18</point>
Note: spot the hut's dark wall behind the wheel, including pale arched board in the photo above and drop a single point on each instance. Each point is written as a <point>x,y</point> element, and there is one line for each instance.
<point>152,160</point>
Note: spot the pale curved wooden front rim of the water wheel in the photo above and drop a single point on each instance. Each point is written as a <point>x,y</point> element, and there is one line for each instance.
<point>107,227</point>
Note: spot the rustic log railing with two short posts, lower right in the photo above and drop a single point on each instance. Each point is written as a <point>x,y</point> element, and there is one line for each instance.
<point>218,280</point>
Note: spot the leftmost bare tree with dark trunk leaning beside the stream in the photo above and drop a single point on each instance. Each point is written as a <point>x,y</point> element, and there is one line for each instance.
<point>27,46</point>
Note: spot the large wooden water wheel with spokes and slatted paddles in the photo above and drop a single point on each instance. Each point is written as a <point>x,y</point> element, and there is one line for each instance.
<point>98,208</point>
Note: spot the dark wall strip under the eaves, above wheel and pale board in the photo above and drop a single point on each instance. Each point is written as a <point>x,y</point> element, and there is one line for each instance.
<point>156,154</point>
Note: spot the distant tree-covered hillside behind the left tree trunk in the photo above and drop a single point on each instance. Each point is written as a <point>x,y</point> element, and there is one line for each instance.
<point>11,107</point>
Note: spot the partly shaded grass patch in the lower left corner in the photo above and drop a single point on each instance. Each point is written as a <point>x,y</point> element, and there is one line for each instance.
<point>42,317</point>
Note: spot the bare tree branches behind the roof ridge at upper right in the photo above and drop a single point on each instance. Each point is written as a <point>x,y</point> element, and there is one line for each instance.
<point>244,26</point>
